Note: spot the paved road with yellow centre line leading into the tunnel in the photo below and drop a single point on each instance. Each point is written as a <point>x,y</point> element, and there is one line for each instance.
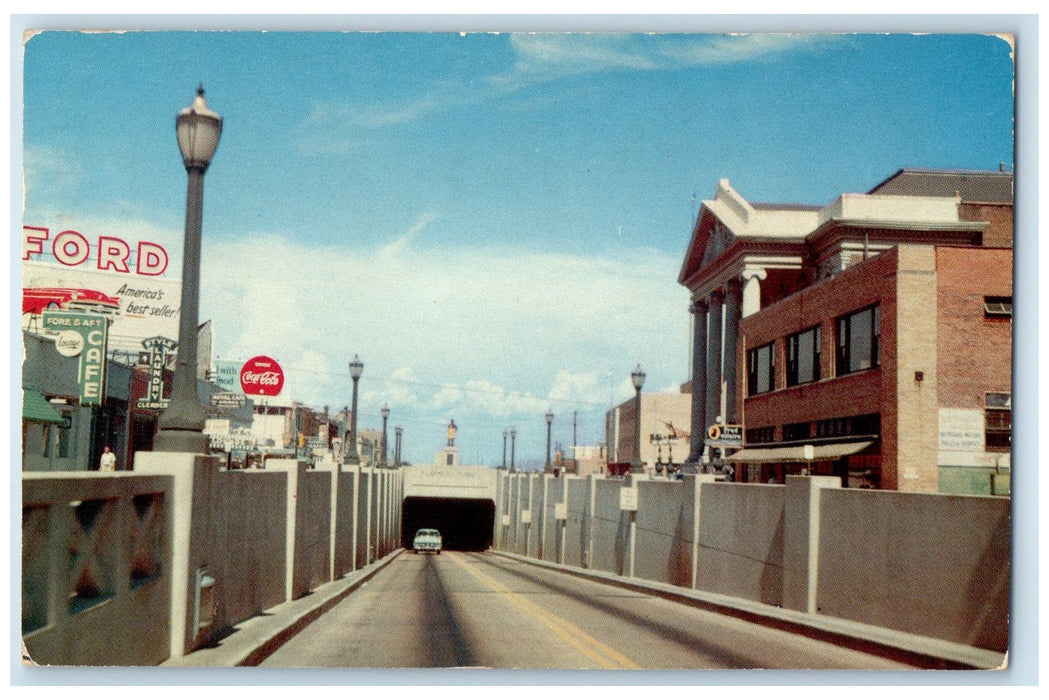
<point>461,609</point>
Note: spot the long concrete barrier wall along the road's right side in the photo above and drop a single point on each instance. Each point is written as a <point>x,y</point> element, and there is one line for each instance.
<point>932,565</point>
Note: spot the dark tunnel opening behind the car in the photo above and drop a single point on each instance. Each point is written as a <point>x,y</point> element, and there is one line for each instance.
<point>465,524</point>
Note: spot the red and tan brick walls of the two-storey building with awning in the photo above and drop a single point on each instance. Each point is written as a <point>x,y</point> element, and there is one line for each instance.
<point>937,350</point>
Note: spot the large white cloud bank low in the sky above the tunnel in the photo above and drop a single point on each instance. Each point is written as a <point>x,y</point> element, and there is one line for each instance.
<point>496,332</point>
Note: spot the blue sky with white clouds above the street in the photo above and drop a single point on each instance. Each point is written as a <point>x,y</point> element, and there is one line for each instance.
<point>494,222</point>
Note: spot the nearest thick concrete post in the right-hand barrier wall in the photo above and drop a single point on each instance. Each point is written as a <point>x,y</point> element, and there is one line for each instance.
<point>802,540</point>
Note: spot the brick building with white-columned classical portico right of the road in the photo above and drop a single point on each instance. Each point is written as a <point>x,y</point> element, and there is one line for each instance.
<point>870,338</point>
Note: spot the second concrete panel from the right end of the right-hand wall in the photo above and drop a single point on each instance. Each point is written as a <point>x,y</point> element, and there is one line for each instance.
<point>741,548</point>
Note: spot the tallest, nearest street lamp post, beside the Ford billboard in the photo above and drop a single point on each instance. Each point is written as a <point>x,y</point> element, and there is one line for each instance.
<point>182,425</point>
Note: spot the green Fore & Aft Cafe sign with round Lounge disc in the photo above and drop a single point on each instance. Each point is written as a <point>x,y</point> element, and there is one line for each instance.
<point>85,335</point>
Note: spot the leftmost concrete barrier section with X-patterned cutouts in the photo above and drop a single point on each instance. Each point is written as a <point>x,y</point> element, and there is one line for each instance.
<point>97,562</point>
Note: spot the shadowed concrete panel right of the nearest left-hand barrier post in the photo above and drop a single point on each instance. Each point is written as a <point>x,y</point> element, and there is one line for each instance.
<point>250,561</point>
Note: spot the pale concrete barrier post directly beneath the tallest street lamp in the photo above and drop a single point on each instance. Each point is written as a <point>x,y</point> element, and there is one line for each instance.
<point>191,539</point>
